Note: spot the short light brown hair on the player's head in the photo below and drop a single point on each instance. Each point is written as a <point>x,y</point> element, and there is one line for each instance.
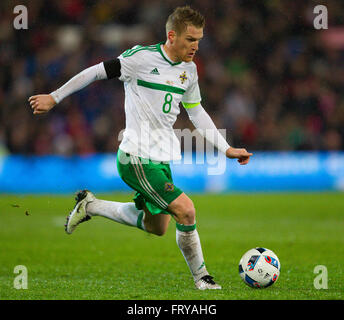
<point>182,17</point>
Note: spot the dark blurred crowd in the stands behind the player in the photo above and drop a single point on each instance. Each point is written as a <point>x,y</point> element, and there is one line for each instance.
<point>267,76</point>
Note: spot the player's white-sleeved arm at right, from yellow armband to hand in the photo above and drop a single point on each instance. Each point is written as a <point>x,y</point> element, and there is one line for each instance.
<point>205,125</point>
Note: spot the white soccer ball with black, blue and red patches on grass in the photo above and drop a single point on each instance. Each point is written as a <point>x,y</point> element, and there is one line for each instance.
<point>259,268</point>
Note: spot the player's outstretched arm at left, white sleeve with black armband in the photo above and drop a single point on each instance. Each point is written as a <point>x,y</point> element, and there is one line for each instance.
<point>42,103</point>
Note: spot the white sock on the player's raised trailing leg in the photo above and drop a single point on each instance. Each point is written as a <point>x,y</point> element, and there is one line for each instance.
<point>125,213</point>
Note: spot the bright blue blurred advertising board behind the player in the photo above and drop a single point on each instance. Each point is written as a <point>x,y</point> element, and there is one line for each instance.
<point>267,171</point>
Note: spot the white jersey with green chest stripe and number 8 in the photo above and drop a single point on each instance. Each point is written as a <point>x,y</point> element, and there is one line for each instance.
<point>154,87</point>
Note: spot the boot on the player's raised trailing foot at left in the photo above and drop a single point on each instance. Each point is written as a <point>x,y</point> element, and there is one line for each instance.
<point>79,214</point>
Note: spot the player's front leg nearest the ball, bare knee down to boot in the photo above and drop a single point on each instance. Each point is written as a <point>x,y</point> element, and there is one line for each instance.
<point>188,241</point>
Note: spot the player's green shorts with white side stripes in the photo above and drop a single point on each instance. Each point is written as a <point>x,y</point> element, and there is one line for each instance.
<point>151,180</point>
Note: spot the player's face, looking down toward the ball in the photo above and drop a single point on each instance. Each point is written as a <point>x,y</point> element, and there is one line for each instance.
<point>186,44</point>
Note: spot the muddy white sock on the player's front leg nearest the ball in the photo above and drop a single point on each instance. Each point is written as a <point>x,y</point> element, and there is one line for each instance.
<point>190,246</point>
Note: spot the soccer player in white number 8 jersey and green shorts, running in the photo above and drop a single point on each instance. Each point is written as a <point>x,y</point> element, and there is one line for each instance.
<point>157,78</point>
